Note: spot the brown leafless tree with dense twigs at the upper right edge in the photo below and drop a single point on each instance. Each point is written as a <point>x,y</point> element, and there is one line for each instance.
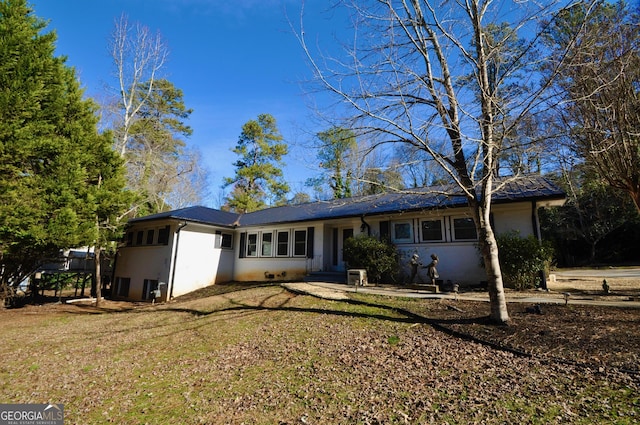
<point>600,87</point>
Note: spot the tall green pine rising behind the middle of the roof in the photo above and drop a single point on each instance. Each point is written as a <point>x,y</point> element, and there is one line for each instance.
<point>258,176</point>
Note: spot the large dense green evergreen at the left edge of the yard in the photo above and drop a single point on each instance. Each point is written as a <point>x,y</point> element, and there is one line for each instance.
<point>54,169</point>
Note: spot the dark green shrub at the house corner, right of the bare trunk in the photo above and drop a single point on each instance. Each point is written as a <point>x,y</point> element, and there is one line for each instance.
<point>522,259</point>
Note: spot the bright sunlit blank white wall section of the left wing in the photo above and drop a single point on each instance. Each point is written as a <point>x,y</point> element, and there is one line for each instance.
<point>199,262</point>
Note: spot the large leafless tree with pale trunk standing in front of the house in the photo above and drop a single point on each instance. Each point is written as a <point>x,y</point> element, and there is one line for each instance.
<point>401,79</point>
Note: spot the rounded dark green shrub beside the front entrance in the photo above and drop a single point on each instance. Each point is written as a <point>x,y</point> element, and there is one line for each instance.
<point>378,258</point>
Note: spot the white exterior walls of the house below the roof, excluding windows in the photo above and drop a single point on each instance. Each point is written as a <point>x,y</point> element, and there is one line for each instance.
<point>194,257</point>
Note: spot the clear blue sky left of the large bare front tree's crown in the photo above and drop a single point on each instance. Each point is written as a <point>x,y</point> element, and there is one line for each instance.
<point>233,61</point>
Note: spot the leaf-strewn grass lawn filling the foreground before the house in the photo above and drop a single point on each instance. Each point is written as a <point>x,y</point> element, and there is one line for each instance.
<point>264,356</point>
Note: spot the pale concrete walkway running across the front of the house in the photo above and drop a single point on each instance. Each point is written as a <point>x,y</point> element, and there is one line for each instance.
<point>339,291</point>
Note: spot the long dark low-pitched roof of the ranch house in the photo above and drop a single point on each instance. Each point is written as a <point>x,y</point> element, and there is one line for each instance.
<point>528,188</point>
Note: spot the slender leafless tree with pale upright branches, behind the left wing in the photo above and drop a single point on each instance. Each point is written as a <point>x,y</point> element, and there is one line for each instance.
<point>138,55</point>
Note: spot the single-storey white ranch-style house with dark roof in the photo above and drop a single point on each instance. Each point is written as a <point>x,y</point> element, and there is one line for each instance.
<point>172,253</point>
